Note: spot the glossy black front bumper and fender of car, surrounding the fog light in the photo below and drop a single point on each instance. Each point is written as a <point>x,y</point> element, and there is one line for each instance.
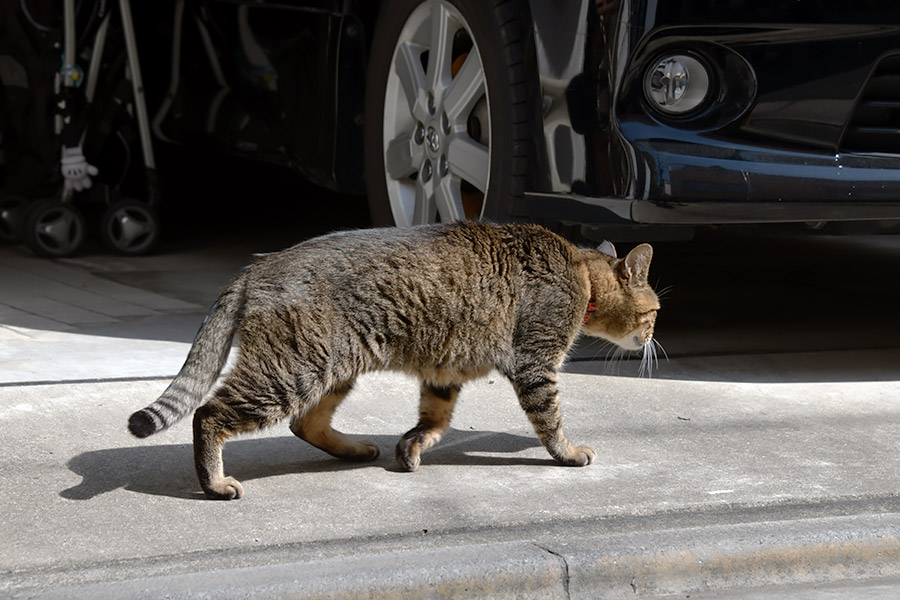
<point>771,148</point>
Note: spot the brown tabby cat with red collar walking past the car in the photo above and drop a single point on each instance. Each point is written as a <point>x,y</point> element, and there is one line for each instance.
<point>446,303</point>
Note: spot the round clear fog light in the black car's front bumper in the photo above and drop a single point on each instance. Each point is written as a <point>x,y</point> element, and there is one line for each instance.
<point>677,84</point>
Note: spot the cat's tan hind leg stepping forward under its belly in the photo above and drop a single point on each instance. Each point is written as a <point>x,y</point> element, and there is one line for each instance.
<point>314,426</point>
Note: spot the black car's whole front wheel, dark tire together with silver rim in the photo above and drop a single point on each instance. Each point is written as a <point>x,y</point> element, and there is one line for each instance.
<point>453,142</point>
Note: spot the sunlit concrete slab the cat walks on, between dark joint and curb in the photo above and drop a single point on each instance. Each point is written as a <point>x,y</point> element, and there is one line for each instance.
<point>87,493</point>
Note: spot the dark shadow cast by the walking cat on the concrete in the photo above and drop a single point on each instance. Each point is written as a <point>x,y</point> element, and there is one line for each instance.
<point>168,470</point>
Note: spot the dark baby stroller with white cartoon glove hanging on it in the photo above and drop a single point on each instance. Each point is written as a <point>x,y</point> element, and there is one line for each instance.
<point>51,176</point>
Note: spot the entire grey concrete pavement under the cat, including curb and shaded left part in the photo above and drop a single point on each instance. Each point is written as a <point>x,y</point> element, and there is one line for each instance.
<point>721,473</point>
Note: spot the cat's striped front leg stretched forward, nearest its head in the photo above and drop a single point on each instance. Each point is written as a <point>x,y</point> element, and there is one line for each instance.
<point>538,392</point>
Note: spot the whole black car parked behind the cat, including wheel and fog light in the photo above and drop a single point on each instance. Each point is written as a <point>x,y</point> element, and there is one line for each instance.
<point>594,113</point>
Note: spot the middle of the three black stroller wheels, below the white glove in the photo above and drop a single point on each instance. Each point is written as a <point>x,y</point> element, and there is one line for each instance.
<point>53,228</point>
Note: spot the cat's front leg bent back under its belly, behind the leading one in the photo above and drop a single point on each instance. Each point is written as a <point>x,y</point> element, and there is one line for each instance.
<point>436,405</point>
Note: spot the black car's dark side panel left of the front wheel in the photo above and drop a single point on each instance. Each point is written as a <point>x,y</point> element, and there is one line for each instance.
<point>276,81</point>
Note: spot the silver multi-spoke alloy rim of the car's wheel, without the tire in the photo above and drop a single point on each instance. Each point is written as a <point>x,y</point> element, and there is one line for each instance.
<point>436,136</point>
